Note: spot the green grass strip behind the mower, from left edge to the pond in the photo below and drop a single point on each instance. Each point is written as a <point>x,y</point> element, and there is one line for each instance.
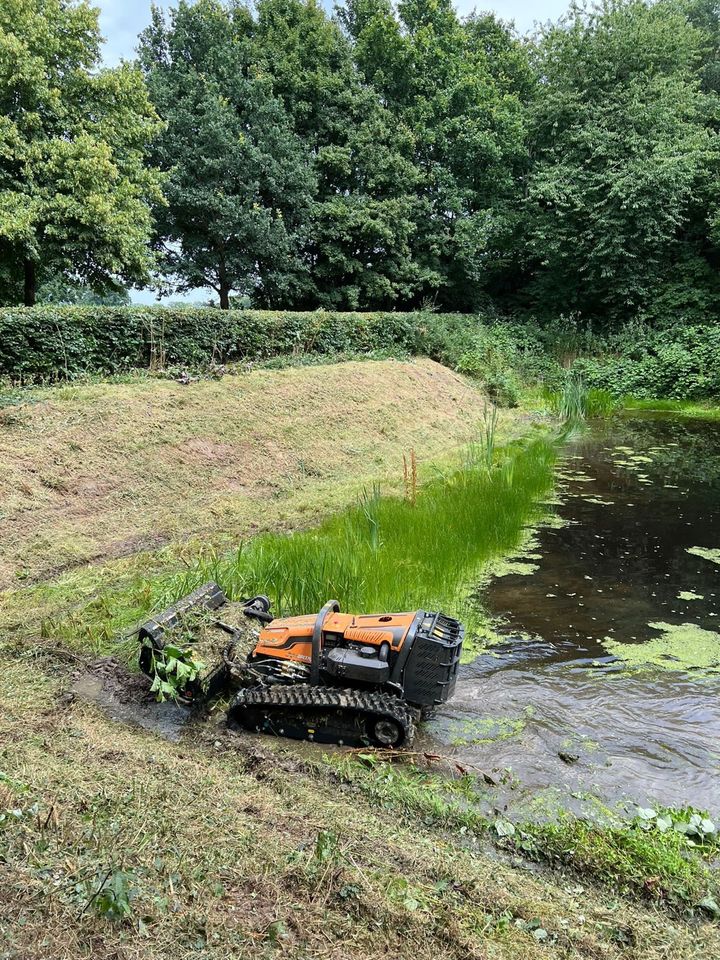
<point>385,553</point>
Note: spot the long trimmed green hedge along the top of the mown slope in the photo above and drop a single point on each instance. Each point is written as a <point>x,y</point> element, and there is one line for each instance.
<point>51,342</point>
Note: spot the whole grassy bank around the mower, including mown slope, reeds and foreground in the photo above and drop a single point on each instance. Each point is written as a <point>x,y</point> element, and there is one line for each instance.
<point>115,841</point>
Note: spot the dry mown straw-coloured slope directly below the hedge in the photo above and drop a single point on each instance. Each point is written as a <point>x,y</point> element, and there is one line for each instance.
<point>115,468</point>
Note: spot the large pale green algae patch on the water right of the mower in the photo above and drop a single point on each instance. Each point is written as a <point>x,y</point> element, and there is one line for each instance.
<point>680,647</point>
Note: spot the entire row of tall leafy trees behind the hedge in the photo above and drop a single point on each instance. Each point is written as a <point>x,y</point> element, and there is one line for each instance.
<point>385,156</point>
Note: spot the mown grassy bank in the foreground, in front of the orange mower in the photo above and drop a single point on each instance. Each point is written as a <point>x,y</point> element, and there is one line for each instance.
<point>116,842</point>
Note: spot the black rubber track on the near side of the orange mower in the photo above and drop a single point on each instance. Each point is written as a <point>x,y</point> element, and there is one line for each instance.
<point>322,714</point>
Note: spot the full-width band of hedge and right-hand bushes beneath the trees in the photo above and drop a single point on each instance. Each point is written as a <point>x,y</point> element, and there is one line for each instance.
<point>50,343</point>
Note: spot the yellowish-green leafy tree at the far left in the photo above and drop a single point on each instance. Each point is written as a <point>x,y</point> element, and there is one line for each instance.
<point>75,192</point>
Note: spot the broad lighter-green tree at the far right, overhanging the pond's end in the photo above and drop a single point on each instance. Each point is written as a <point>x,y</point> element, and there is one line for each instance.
<point>623,154</point>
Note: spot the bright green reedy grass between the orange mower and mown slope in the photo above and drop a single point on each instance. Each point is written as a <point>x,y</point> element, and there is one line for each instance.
<point>389,553</point>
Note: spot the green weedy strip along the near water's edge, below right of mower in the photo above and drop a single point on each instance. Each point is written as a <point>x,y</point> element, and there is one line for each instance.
<point>633,856</point>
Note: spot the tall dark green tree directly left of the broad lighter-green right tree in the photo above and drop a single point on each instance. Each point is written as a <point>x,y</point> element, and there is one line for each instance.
<point>459,88</point>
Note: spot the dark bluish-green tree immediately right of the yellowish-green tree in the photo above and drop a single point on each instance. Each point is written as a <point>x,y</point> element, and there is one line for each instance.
<point>239,185</point>
